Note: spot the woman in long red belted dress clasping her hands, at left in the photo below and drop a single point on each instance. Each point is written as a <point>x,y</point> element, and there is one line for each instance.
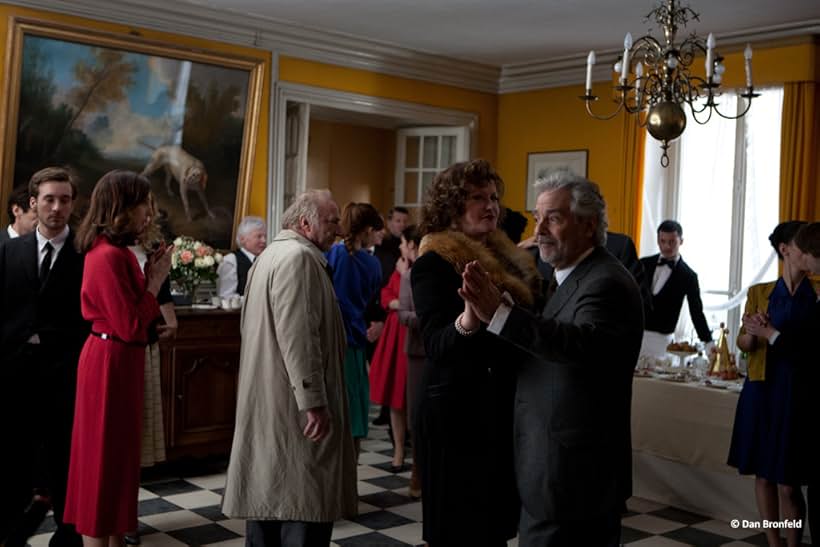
<point>120,302</point>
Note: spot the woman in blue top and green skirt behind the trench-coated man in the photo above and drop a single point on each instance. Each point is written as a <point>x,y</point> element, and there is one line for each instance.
<point>357,276</point>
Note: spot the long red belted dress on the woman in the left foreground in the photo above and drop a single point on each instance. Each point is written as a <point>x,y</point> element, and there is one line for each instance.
<point>104,471</point>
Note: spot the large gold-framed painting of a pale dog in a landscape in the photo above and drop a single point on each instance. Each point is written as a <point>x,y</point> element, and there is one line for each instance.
<point>95,101</point>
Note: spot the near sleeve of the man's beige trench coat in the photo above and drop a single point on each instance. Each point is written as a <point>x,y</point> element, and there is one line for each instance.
<point>298,311</point>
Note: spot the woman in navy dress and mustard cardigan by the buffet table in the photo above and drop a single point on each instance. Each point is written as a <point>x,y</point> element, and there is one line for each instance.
<point>766,435</point>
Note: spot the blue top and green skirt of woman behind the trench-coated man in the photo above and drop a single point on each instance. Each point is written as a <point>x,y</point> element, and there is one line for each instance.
<point>356,278</point>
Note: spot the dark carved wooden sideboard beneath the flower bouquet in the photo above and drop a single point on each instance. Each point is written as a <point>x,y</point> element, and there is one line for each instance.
<point>199,380</point>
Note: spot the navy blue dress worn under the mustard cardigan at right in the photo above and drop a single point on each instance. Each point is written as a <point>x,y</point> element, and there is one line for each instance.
<point>766,438</point>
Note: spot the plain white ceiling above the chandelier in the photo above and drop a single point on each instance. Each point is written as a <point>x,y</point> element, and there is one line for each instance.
<point>503,32</point>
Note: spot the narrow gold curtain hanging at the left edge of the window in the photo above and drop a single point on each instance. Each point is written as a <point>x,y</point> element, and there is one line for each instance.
<point>634,138</point>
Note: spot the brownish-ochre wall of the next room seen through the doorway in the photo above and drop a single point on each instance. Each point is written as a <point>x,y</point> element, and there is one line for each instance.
<point>356,163</point>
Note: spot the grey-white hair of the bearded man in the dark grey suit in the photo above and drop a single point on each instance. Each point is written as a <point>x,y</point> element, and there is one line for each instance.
<point>587,201</point>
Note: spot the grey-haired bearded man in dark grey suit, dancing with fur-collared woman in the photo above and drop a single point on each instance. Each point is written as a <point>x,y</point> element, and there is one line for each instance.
<point>572,409</point>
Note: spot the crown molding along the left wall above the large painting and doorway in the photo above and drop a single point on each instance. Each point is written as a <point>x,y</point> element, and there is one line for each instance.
<point>280,37</point>
